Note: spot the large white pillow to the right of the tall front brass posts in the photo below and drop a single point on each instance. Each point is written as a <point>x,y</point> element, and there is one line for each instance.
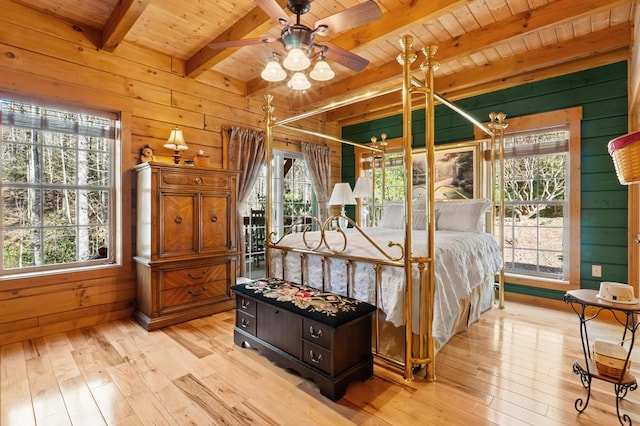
<point>466,215</point>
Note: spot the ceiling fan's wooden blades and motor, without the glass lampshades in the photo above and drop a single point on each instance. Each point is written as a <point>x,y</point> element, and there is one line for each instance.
<point>297,35</point>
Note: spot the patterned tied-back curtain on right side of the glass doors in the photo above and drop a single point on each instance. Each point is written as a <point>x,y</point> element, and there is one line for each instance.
<point>318,160</point>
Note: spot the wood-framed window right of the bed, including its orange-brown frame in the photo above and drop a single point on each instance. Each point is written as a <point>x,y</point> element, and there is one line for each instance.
<point>542,199</point>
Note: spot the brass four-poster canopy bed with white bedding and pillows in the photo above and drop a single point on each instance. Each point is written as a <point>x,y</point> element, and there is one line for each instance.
<point>423,295</point>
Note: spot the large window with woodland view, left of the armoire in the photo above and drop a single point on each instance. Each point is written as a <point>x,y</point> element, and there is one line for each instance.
<point>57,187</point>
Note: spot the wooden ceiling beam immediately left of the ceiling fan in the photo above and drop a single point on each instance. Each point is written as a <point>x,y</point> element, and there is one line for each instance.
<point>254,24</point>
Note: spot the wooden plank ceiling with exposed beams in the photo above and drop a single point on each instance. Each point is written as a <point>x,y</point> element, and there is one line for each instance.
<point>483,45</point>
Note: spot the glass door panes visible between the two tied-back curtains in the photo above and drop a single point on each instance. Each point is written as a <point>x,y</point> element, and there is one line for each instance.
<point>293,199</point>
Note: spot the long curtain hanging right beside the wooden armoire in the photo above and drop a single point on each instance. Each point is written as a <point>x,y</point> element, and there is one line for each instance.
<point>247,153</point>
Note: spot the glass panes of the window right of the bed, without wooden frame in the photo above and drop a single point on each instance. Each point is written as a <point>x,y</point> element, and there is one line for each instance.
<point>536,199</point>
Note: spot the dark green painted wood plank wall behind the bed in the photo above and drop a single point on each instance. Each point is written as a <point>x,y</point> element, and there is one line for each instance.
<point>602,92</point>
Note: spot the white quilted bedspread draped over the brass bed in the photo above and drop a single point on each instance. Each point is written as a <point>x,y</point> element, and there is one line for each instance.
<point>463,260</point>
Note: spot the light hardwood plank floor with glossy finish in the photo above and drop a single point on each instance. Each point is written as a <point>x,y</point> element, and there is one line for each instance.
<point>513,367</point>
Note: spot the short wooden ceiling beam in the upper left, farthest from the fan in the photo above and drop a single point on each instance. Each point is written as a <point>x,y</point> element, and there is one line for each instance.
<point>121,20</point>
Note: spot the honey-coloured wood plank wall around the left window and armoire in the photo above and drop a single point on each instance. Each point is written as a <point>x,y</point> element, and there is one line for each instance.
<point>56,62</point>
